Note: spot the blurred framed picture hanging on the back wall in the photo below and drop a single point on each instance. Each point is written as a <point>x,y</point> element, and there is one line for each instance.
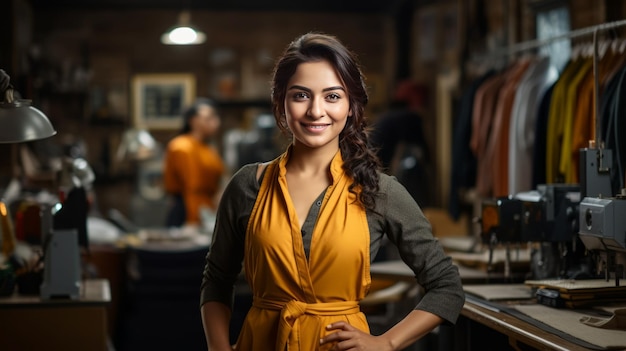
<point>158,99</point>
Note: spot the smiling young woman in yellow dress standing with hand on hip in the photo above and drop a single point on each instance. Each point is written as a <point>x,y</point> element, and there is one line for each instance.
<point>308,224</point>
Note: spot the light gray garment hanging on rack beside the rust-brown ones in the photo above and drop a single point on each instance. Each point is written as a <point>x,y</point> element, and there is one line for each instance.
<point>522,135</point>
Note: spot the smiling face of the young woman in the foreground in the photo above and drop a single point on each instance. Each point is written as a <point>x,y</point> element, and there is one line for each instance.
<point>316,105</point>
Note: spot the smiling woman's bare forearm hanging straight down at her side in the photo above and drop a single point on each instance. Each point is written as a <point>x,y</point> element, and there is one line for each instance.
<point>216,321</point>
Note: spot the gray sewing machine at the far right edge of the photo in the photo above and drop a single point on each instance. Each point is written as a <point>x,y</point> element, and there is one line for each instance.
<point>602,215</point>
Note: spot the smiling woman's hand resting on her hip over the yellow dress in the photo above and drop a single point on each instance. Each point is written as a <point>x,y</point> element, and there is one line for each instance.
<point>348,337</point>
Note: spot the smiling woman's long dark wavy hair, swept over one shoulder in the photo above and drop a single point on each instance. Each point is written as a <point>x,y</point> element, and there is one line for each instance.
<point>360,162</point>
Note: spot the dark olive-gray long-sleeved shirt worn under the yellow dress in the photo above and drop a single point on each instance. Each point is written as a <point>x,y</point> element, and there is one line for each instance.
<point>397,215</point>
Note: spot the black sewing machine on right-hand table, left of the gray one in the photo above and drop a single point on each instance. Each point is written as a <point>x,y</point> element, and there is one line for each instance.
<point>548,217</point>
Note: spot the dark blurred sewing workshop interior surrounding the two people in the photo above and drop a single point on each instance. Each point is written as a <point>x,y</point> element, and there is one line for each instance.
<point>515,152</point>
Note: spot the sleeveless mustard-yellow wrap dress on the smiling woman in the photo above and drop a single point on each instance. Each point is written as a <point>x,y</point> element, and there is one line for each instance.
<point>295,298</point>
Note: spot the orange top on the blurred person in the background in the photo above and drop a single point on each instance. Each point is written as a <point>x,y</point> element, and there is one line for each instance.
<point>193,170</point>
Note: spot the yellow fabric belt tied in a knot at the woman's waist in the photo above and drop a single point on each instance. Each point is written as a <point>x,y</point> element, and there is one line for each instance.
<point>290,312</point>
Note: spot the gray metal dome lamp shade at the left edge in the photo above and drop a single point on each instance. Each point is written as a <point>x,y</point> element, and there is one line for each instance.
<point>20,122</point>
